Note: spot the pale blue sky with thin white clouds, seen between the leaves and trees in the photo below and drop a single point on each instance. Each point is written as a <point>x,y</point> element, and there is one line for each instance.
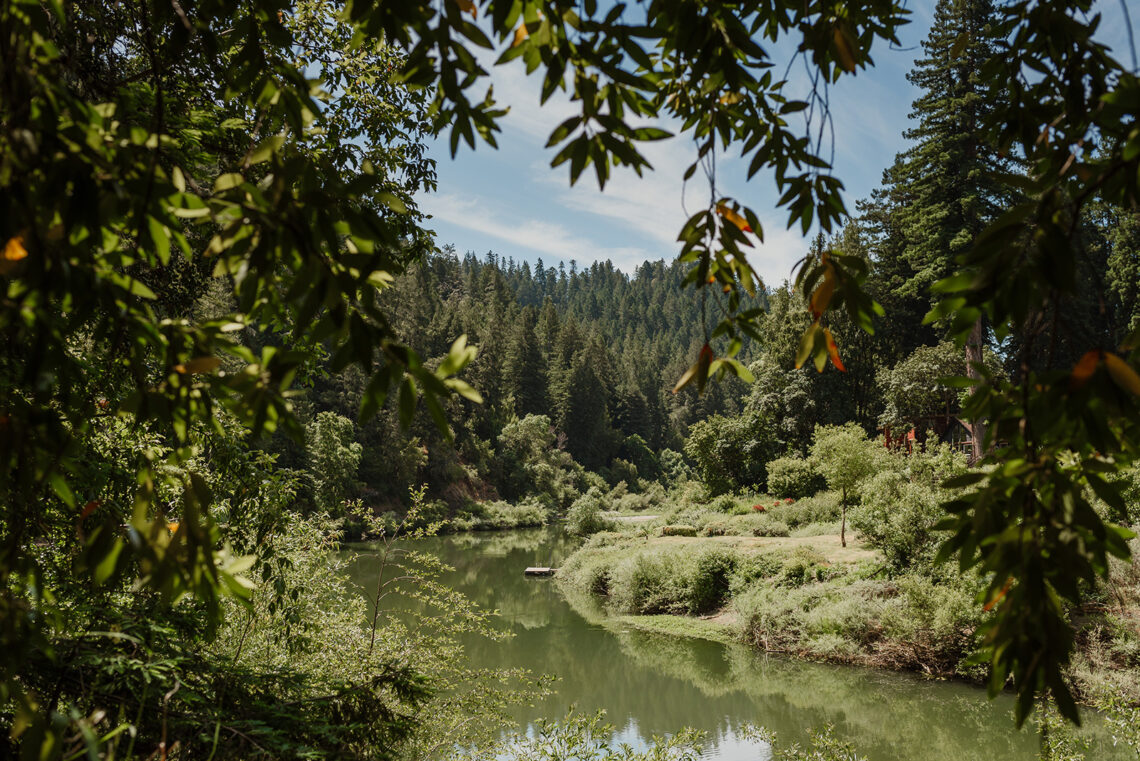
<point>510,201</point>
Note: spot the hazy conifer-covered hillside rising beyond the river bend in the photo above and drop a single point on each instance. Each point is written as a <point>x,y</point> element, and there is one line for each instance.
<point>596,351</point>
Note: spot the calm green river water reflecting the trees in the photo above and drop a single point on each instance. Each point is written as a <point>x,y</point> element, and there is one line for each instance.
<point>653,685</point>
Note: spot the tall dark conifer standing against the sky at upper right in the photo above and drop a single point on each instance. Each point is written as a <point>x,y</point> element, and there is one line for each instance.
<point>943,191</point>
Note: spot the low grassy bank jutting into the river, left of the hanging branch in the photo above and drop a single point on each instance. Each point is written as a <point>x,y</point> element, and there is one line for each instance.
<point>803,596</point>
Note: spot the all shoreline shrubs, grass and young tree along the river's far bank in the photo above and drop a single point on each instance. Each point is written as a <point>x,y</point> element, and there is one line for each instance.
<point>801,574</point>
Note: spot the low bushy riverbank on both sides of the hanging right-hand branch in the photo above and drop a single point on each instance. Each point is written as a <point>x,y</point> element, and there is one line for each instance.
<point>811,599</point>
